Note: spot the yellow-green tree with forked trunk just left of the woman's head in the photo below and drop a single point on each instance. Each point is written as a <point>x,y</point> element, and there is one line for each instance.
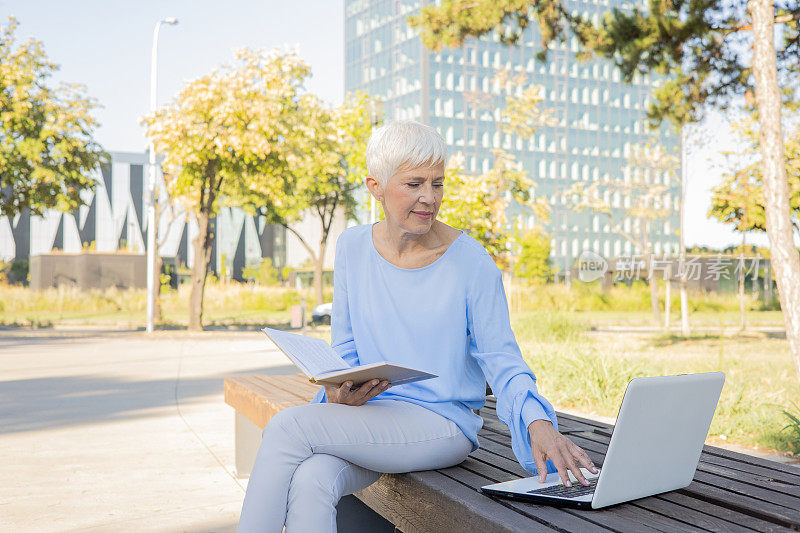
<point>328,167</point>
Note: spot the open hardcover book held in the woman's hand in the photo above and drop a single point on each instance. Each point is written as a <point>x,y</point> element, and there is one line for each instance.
<point>317,360</point>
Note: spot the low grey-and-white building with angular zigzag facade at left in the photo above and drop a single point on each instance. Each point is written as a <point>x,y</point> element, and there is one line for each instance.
<point>114,219</point>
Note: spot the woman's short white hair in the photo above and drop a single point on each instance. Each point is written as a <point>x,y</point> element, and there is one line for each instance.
<point>403,143</point>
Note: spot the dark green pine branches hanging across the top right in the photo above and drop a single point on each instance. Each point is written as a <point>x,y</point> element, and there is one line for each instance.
<point>698,46</point>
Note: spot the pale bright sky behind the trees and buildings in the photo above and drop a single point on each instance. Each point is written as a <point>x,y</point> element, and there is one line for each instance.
<point>106,45</point>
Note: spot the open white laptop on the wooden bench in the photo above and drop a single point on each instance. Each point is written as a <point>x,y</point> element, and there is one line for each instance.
<point>655,446</point>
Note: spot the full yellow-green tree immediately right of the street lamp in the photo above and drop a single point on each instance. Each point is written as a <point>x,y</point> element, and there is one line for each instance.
<point>227,139</point>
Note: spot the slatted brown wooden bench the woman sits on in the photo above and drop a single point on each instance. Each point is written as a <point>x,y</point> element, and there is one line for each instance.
<point>731,491</point>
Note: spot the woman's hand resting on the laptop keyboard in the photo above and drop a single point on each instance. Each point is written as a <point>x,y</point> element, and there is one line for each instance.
<point>547,443</point>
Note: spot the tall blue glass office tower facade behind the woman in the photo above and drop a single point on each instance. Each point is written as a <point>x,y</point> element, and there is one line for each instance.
<point>597,118</point>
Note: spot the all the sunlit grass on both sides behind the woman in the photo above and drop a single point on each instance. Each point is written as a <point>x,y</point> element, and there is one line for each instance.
<point>579,365</point>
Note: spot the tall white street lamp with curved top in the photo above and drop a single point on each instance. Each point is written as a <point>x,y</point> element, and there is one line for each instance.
<point>151,186</point>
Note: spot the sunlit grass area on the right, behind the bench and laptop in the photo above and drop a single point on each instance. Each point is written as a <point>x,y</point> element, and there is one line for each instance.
<point>589,371</point>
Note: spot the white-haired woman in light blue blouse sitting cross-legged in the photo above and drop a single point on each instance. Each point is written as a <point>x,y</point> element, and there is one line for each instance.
<point>413,291</point>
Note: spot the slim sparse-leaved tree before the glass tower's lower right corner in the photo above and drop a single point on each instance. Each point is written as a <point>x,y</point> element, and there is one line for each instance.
<point>634,203</point>
